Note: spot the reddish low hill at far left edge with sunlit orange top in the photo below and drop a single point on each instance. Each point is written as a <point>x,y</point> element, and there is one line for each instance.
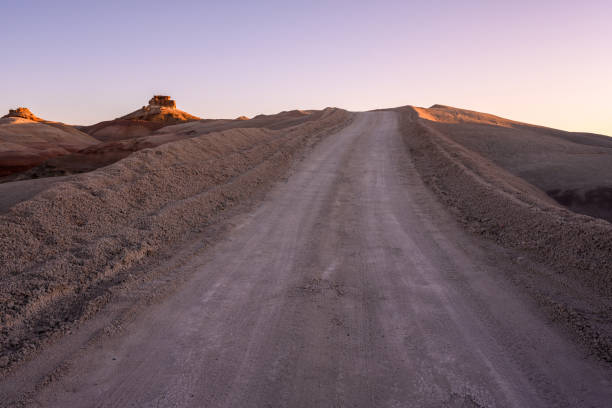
<point>26,143</point>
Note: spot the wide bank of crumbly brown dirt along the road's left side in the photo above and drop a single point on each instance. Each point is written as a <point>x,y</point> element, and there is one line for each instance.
<point>63,250</point>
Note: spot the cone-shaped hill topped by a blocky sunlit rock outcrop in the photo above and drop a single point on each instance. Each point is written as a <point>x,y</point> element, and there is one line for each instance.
<point>161,111</point>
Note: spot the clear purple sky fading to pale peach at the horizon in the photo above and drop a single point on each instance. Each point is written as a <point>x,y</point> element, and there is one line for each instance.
<point>543,62</point>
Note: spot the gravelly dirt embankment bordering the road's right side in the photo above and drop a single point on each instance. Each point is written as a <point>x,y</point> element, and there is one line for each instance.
<point>493,203</point>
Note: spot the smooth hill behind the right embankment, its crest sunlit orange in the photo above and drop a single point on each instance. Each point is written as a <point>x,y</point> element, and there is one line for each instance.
<point>573,168</point>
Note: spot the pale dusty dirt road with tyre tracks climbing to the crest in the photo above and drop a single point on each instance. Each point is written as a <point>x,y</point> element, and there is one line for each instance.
<point>350,286</point>
